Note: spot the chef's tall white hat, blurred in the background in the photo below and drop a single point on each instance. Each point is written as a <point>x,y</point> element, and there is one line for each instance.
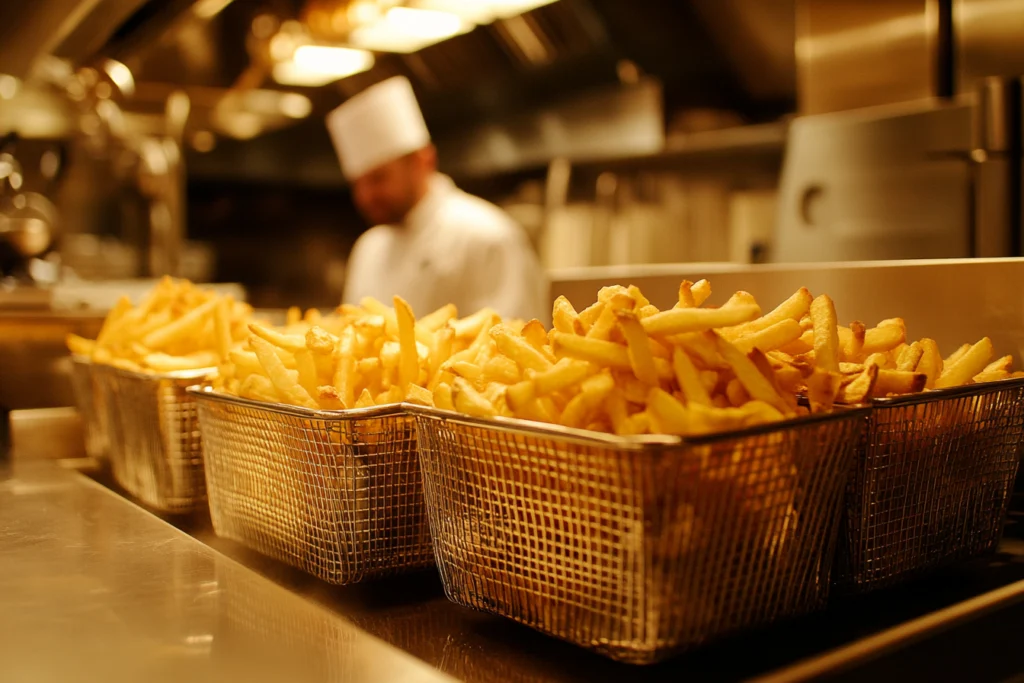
<point>377,126</point>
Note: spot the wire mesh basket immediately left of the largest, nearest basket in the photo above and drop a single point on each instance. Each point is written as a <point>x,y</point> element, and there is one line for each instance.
<point>337,495</point>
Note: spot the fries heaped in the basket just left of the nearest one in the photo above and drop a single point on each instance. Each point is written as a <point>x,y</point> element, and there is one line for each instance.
<point>365,356</point>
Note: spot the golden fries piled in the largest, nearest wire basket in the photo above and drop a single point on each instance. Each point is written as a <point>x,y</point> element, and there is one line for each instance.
<point>623,366</point>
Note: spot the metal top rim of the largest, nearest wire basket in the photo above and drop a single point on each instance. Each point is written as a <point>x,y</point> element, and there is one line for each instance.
<point>639,443</point>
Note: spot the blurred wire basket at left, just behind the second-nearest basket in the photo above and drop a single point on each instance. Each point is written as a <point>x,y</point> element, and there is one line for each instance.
<point>155,448</point>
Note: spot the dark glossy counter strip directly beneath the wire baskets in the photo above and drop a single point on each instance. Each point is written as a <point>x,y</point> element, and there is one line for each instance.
<point>412,614</point>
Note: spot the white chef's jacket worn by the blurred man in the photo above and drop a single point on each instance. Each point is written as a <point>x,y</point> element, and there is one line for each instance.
<point>453,248</point>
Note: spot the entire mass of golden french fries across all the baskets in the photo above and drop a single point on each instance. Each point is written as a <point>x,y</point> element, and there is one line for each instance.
<point>620,366</point>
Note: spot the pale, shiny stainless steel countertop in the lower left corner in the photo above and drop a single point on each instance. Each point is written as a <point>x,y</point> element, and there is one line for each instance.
<point>93,588</point>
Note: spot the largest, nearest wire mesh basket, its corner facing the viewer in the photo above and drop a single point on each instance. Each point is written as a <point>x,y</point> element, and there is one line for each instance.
<point>635,548</point>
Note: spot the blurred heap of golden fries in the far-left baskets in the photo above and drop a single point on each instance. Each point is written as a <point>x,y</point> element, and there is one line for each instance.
<point>178,327</point>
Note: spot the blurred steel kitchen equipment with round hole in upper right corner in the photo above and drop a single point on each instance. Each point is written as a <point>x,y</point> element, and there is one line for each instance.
<point>911,144</point>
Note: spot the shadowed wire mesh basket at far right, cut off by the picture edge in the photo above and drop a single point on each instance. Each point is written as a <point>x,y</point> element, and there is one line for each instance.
<point>931,483</point>
